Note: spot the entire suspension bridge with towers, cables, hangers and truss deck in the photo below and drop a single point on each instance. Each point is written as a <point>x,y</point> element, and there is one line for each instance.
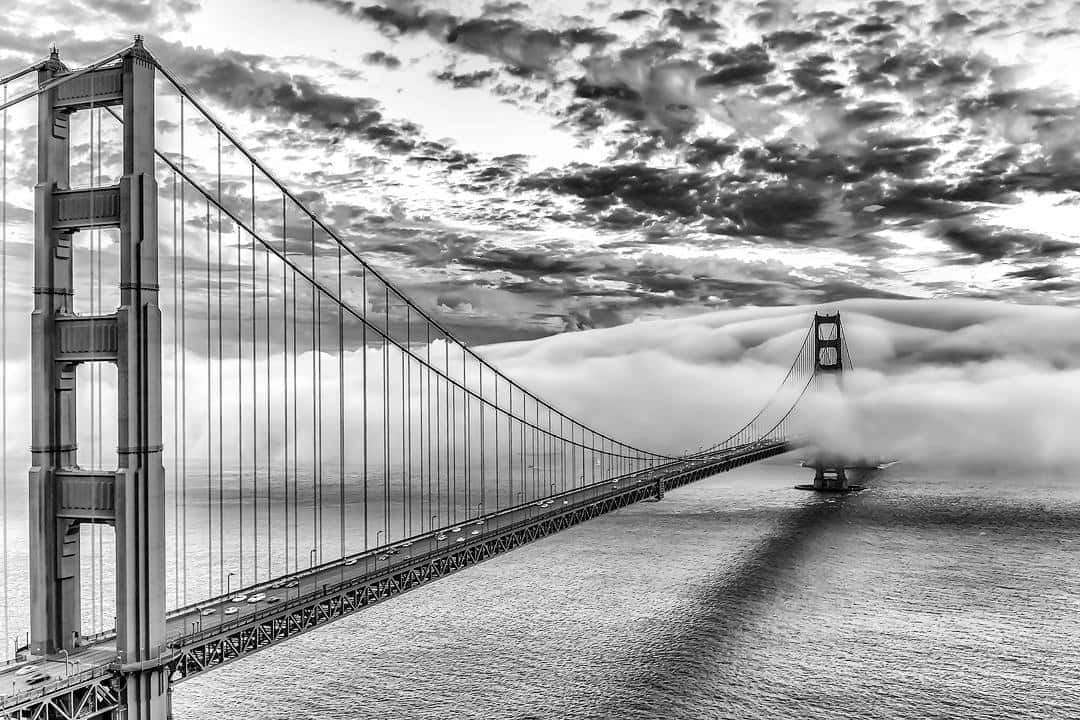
<point>295,438</point>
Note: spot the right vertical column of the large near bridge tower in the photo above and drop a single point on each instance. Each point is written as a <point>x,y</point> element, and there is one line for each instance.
<point>140,483</point>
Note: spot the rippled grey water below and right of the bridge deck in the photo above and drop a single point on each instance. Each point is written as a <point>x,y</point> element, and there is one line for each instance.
<point>930,595</point>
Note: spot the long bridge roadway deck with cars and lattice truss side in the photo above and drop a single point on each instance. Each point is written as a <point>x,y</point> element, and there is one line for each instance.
<point>315,597</point>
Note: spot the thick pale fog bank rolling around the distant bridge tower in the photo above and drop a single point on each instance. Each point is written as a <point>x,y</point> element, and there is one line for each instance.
<point>938,383</point>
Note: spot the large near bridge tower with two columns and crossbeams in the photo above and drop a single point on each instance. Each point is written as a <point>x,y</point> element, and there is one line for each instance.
<point>64,496</point>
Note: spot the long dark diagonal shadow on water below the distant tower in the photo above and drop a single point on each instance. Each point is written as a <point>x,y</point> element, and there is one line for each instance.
<point>699,641</point>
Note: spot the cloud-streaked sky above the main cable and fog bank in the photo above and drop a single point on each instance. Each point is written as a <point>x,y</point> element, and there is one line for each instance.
<point>535,168</point>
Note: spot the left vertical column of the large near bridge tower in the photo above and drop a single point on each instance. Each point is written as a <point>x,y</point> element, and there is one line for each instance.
<point>53,541</point>
